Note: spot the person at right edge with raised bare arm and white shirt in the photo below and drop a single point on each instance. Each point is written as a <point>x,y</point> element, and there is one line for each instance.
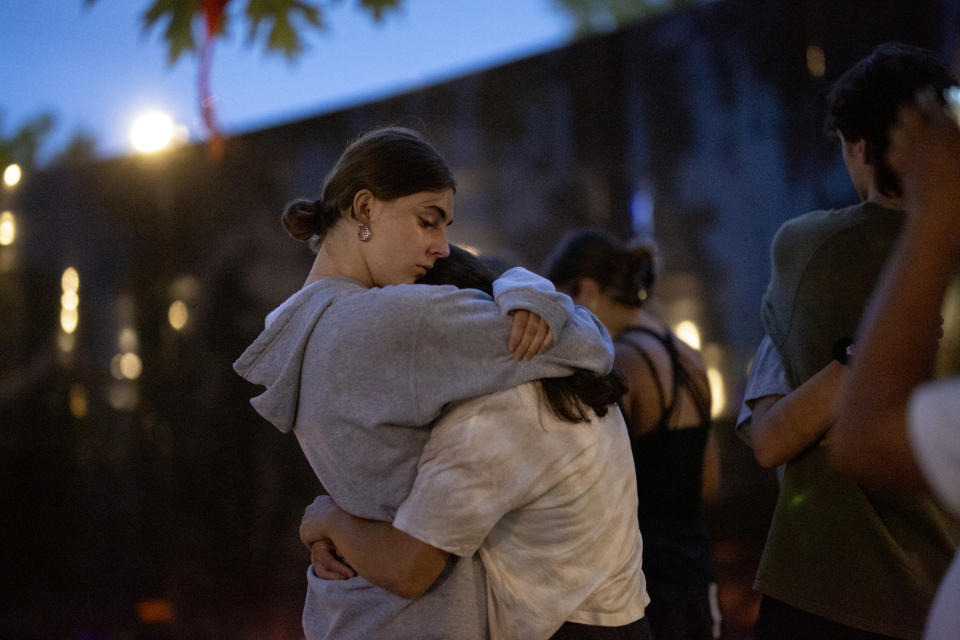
<point>898,429</point>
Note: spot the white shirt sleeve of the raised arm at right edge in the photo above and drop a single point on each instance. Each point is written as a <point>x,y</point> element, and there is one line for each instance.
<point>933,429</point>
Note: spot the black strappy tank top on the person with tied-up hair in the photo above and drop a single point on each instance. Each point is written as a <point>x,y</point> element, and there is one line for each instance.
<point>669,467</point>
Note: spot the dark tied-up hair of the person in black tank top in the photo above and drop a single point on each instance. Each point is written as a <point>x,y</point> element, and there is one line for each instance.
<point>624,273</point>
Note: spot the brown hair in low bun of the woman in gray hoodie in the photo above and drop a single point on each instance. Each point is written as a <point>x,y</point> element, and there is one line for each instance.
<point>391,162</point>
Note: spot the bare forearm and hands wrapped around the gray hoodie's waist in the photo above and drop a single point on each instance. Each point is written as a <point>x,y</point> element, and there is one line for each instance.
<point>387,557</point>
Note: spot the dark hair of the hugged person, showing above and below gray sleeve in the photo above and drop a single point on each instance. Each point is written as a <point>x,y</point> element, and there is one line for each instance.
<point>568,397</point>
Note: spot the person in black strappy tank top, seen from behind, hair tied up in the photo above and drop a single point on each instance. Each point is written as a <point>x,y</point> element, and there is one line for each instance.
<point>667,410</point>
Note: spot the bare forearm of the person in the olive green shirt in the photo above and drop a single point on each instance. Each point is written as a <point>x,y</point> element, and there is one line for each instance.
<point>783,427</point>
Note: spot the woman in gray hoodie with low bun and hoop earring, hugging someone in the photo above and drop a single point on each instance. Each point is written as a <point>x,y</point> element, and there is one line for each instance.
<point>360,361</point>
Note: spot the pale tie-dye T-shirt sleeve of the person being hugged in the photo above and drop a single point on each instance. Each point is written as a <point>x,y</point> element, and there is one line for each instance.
<point>471,473</point>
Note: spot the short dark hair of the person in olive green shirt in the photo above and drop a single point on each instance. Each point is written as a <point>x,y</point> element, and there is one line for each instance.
<point>864,102</point>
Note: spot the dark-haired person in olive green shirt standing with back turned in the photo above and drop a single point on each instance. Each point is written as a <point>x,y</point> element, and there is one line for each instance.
<point>840,560</point>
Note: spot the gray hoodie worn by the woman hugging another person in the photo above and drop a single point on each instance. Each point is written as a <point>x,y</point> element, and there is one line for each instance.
<point>359,374</point>
